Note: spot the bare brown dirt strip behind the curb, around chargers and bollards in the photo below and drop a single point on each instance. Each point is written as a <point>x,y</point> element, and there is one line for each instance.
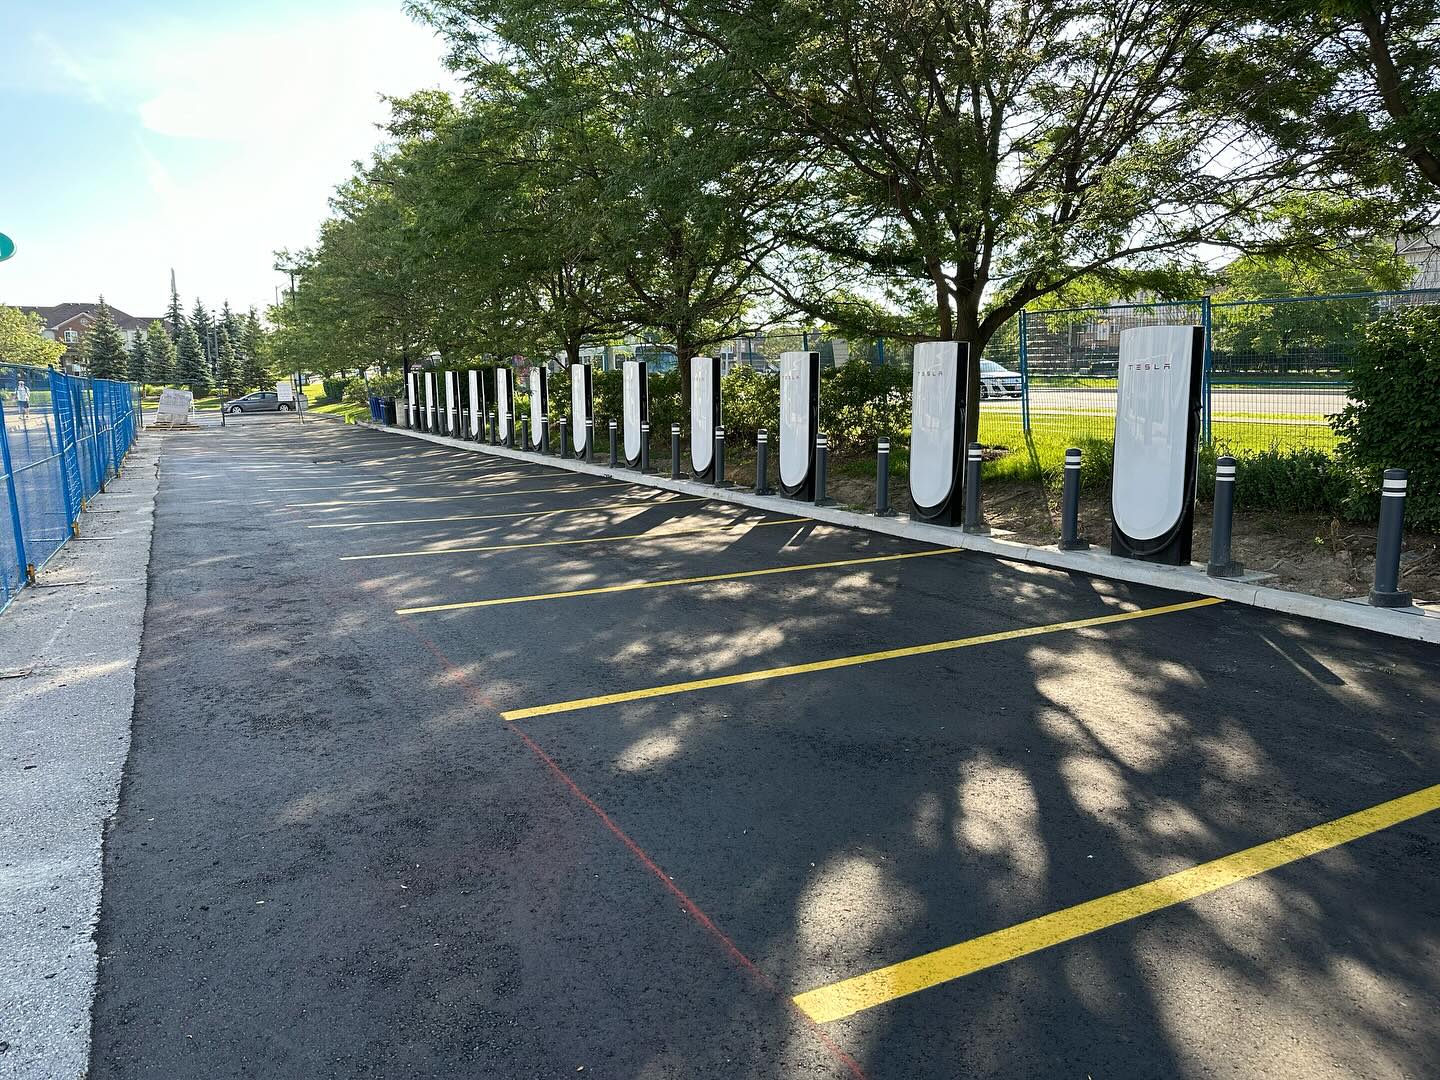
<point>1308,554</point>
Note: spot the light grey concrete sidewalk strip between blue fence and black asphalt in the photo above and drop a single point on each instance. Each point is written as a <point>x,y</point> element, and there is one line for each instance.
<point>68,653</point>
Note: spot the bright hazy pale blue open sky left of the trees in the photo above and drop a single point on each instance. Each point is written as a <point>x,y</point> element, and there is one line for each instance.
<point>142,136</point>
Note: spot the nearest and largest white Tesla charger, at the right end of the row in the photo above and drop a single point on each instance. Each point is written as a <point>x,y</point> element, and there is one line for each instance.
<point>1157,434</point>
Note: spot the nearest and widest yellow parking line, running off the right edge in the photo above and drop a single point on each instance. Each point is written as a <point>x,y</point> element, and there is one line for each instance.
<point>909,977</point>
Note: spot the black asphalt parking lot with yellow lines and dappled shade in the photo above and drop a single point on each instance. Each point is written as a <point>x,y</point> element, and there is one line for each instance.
<point>451,765</point>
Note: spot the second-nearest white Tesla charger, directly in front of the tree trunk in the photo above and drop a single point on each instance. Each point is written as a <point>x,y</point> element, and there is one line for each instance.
<point>938,431</point>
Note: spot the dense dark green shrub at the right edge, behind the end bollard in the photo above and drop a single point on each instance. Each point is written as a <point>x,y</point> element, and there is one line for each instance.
<point>1393,420</point>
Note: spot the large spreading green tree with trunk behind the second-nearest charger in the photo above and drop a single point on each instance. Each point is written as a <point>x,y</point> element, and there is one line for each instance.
<point>977,158</point>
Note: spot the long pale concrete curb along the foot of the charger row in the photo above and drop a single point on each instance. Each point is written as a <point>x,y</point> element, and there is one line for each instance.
<point>1419,626</point>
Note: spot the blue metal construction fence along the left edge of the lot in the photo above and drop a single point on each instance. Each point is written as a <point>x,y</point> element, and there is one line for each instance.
<point>66,438</point>
